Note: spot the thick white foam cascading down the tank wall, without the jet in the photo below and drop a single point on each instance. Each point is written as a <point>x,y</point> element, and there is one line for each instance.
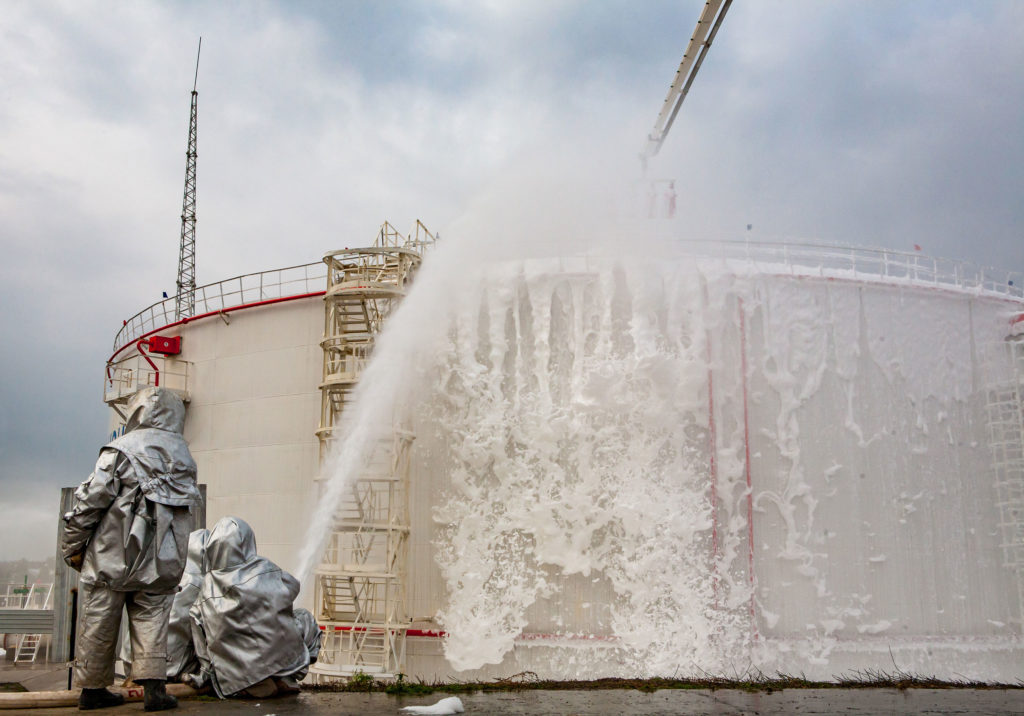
<point>575,408</point>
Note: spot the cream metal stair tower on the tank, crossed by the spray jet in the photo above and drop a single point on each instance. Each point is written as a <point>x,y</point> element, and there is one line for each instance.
<point>361,583</point>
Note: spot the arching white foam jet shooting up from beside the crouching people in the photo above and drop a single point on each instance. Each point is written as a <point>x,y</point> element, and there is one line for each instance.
<point>563,217</point>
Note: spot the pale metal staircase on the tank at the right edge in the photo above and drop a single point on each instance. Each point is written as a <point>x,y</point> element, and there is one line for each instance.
<point>1006,433</point>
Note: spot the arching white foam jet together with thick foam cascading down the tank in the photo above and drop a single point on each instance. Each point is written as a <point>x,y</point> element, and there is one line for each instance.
<point>571,412</point>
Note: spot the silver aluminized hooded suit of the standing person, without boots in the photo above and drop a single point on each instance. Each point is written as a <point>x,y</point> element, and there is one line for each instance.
<point>129,533</point>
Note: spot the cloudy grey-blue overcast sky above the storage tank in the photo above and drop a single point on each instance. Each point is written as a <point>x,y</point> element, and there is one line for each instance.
<point>873,123</point>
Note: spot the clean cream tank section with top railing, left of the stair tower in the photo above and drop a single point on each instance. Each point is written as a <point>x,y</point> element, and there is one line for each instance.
<point>249,368</point>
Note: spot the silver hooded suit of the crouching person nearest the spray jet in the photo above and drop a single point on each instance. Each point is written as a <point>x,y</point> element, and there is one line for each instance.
<point>244,627</point>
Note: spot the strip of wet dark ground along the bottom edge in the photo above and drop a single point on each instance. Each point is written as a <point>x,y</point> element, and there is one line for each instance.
<point>833,701</point>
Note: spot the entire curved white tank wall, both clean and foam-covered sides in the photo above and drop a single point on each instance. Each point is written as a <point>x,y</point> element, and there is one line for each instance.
<point>629,469</point>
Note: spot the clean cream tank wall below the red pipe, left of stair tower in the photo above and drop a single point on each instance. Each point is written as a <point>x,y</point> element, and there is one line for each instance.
<point>251,378</point>
